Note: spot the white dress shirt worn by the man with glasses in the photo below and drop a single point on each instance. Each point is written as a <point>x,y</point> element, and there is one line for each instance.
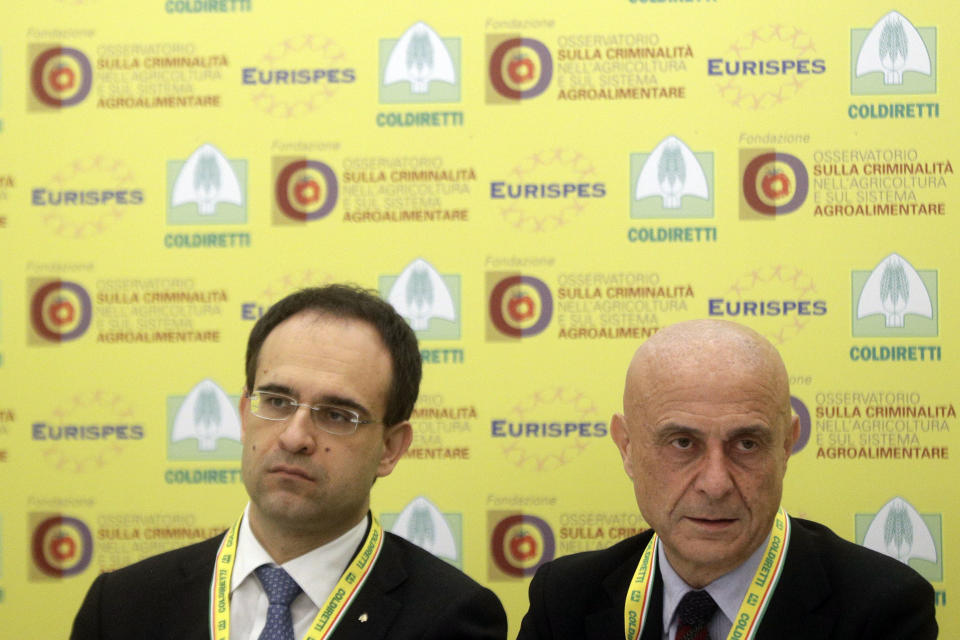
<point>317,573</point>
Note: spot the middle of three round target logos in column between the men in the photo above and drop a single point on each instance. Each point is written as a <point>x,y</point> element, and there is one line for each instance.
<point>521,306</point>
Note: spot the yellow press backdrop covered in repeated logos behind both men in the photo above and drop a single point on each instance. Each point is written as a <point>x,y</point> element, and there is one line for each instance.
<point>537,188</point>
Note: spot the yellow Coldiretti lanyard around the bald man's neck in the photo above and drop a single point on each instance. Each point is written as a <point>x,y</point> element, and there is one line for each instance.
<point>754,602</point>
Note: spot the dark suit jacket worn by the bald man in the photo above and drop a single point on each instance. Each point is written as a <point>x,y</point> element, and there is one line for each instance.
<point>829,588</point>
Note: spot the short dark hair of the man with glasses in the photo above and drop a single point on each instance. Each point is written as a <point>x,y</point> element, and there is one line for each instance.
<point>349,301</point>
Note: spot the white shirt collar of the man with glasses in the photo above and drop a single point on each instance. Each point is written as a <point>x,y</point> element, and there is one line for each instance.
<point>316,571</point>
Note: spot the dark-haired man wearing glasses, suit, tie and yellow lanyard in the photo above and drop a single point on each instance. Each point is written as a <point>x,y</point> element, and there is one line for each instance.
<point>332,375</point>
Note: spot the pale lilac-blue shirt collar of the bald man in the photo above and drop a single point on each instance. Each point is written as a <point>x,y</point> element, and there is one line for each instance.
<point>728,591</point>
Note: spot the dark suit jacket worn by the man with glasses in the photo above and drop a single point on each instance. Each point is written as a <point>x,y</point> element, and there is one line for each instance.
<point>409,594</point>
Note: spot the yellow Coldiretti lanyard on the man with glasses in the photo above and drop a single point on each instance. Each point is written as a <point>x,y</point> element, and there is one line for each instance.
<point>332,610</point>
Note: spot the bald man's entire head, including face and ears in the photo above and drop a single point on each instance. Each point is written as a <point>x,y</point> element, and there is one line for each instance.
<point>705,436</point>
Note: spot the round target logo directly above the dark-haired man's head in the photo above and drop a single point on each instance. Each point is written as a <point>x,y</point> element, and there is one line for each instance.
<point>306,190</point>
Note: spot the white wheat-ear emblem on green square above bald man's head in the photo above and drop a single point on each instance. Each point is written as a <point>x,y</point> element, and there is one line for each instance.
<point>672,181</point>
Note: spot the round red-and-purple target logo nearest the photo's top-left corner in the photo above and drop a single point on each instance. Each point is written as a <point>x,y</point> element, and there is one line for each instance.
<point>61,77</point>
